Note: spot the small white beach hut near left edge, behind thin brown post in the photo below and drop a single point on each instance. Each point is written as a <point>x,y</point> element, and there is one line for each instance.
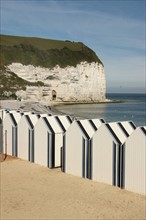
<point>10,133</point>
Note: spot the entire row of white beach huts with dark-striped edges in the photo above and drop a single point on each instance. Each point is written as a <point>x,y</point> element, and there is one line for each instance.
<point>113,153</point>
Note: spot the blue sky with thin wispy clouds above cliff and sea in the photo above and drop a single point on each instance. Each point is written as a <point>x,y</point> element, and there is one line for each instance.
<point>115,30</point>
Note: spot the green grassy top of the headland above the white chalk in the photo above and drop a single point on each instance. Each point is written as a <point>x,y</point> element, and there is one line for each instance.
<point>43,52</point>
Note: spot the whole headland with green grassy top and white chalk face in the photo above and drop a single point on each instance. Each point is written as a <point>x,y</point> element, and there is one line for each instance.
<point>50,70</point>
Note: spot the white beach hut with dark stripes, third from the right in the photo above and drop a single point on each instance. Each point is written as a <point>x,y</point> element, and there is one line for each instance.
<point>77,148</point>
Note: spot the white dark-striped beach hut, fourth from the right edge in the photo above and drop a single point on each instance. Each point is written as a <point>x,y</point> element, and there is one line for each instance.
<point>48,142</point>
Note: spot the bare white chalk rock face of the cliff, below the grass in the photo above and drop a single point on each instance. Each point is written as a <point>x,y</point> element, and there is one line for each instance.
<point>83,83</point>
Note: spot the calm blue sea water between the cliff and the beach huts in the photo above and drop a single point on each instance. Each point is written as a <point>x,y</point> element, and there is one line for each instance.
<point>133,108</point>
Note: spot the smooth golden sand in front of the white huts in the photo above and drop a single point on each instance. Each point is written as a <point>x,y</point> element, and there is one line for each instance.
<point>30,191</point>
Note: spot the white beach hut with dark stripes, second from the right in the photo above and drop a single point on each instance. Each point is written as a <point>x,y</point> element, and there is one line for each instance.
<point>107,142</point>
